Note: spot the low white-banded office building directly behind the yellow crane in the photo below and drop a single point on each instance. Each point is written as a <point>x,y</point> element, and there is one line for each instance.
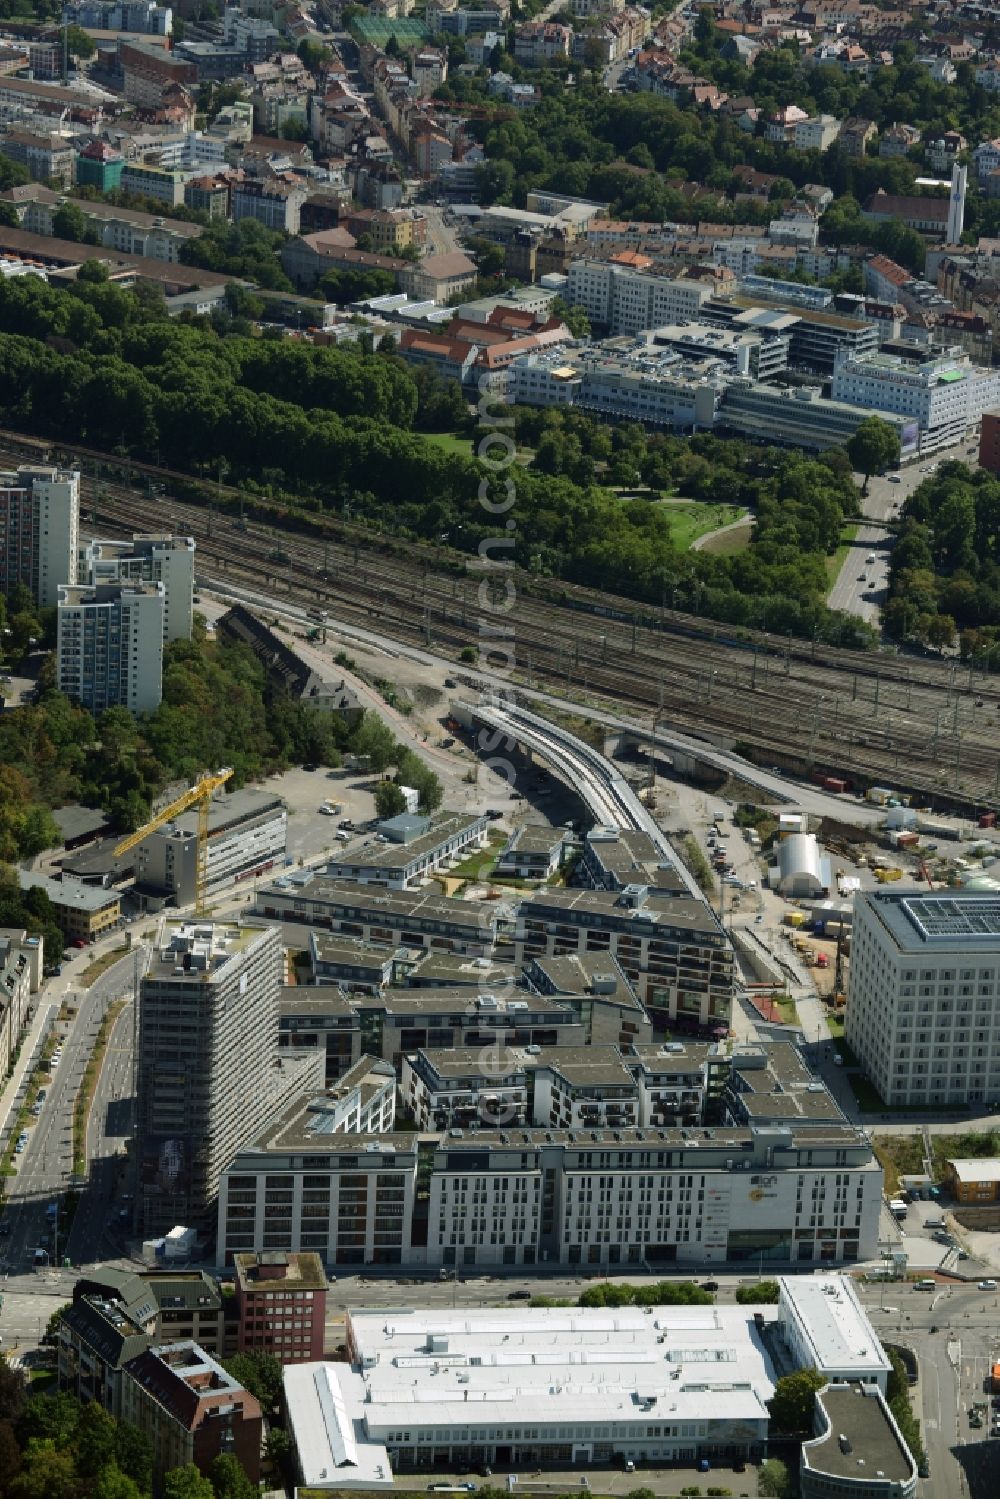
<point>248,833</point>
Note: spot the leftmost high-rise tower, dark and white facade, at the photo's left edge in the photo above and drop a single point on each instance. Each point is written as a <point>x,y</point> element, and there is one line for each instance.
<point>40,525</point>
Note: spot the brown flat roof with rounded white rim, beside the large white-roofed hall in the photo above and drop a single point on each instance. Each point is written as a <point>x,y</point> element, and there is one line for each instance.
<point>861,1438</point>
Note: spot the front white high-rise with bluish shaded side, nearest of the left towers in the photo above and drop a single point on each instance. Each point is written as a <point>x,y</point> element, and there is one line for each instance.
<point>110,645</point>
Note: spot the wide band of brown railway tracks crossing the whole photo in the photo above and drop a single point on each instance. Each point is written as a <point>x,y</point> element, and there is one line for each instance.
<point>789,702</point>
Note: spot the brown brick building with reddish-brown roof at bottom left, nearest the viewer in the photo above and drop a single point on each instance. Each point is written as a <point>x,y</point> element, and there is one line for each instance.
<point>191,1410</point>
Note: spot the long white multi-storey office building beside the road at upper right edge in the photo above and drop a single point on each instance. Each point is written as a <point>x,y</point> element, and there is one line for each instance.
<point>945,393</point>
